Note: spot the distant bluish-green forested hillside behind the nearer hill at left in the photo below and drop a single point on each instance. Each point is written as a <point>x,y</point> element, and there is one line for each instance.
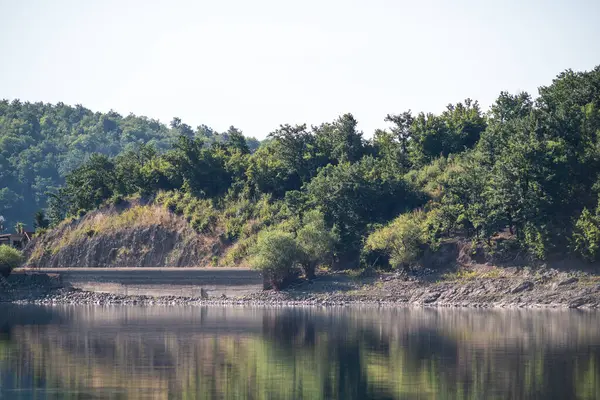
<point>41,143</point>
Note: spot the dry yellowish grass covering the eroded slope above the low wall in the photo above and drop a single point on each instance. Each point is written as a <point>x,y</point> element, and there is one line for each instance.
<point>125,224</point>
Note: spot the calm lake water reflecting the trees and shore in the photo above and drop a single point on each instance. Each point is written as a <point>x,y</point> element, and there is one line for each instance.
<point>76,352</point>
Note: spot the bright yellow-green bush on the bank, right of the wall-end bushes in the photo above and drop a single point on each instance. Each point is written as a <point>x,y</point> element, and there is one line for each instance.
<point>403,241</point>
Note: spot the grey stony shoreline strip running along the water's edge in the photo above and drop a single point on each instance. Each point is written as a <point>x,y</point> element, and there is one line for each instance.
<point>476,286</point>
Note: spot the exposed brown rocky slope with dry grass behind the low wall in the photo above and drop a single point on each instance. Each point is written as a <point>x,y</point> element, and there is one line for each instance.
<point>149,237</point>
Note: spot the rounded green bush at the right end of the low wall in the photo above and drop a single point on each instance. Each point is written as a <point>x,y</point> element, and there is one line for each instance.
<point>275,254</point>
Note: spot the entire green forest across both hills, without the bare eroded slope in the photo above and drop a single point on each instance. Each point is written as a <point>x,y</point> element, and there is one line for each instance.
<point>527,168</point>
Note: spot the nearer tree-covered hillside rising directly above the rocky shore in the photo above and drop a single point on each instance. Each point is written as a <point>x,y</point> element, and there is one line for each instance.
<point>520,181</point>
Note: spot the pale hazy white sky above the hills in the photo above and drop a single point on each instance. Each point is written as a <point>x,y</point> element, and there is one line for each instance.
<point>257,64</point>
